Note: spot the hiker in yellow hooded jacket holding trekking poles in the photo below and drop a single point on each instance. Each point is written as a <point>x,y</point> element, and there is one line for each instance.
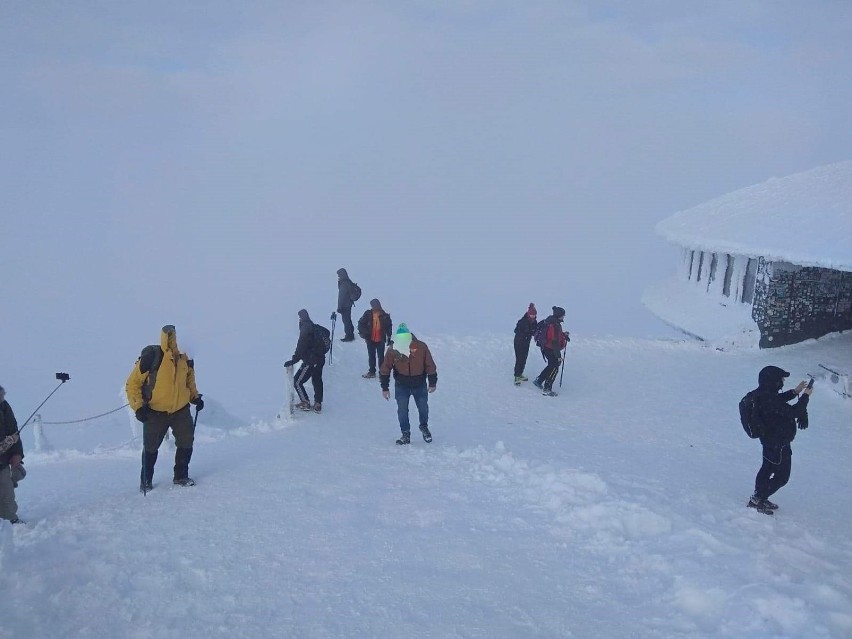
<point>160,395</point>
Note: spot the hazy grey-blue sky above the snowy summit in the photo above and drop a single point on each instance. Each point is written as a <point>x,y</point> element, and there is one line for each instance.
<point>211,164</point>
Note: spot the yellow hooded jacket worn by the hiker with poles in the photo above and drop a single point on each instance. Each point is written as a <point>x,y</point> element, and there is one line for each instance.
<point>175,379</point>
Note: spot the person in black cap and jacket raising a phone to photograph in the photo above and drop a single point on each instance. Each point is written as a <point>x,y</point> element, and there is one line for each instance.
<point>778,425</point>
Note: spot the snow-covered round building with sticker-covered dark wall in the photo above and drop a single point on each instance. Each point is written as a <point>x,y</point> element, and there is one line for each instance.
<point>770,263</point>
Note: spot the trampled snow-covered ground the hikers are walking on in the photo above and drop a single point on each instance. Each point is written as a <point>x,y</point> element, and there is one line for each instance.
<point>615,510</point>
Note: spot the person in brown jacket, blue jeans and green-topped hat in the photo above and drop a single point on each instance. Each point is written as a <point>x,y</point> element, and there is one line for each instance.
<point>415,375</point>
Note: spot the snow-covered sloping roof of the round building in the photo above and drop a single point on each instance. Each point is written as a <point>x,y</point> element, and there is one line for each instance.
<point>803,219</point>
